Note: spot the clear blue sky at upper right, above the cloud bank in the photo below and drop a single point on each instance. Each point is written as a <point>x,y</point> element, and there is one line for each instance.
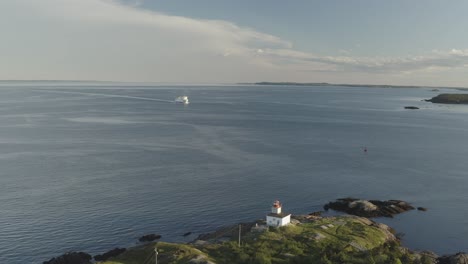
<point>364,27</point>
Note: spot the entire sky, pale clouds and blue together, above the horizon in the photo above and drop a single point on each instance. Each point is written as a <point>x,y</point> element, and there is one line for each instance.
<point>418,42</point>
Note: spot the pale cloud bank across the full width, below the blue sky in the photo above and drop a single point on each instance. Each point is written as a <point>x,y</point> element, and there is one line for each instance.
<point>110,40</point>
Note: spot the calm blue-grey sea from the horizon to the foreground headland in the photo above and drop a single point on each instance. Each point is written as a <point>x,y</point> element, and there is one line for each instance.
<point>90,168</point>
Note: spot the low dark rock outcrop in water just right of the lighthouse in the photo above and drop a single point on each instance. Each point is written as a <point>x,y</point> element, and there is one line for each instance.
<point>371,208</point>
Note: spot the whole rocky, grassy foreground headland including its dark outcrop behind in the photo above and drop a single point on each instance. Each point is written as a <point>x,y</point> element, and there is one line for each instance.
<point>308,238</point>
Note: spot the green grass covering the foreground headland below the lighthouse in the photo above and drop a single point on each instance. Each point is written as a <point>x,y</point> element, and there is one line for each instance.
<point>349,240</point>
